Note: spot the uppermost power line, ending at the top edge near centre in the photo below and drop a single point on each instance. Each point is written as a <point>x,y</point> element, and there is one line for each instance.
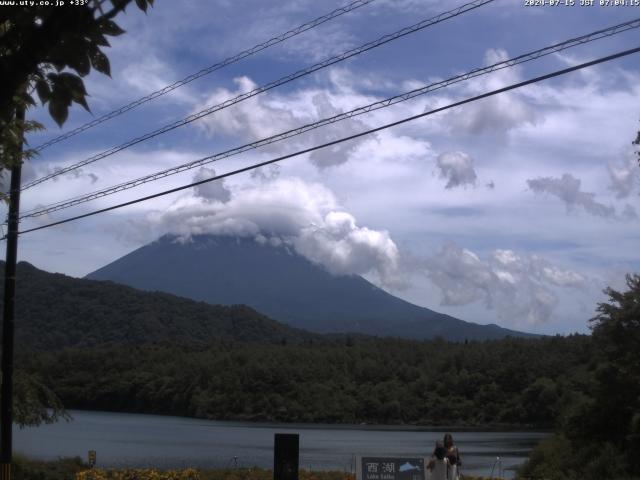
<point>206,71</point>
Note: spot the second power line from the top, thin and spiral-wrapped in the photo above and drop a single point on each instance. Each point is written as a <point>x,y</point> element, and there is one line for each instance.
<point>284,80</point>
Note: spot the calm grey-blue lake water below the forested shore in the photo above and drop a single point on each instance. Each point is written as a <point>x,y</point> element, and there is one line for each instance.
<point>172,442</point>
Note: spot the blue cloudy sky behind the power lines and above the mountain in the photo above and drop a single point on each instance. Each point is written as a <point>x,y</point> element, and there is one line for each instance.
<point>518,209</point>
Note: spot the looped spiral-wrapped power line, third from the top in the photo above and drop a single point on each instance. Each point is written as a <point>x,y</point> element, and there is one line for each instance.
<point>61,205</point>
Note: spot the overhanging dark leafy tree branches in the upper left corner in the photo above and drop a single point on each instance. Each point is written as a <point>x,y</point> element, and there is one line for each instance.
<point>40,49</point>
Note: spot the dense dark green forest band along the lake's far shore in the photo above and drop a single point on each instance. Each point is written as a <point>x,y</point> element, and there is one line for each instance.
<point>373,380</point>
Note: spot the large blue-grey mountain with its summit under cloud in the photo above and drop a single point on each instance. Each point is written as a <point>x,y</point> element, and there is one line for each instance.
<point>283,285</point>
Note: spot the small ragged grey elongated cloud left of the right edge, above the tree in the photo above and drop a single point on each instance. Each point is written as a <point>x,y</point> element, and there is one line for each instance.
<point>567,189</point>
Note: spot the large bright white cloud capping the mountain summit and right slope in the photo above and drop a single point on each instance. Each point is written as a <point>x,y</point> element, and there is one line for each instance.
<point>289,211</point>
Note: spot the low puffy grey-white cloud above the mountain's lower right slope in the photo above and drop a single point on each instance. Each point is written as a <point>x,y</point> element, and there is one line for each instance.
<point>518,287</point>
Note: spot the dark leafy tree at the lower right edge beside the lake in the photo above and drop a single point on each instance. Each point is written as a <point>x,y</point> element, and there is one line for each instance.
<point>599,422</point>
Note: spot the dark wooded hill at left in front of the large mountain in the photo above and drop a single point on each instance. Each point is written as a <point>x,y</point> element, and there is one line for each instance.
<point>55,311</point>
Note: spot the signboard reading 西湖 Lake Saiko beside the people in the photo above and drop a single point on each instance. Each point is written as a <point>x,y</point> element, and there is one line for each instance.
<point>390,468</point>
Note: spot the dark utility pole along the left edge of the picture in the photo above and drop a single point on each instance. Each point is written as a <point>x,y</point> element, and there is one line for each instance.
<point>6,390</point>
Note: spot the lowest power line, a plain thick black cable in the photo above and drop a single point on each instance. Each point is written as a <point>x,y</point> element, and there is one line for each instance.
<point>344,139</point>
